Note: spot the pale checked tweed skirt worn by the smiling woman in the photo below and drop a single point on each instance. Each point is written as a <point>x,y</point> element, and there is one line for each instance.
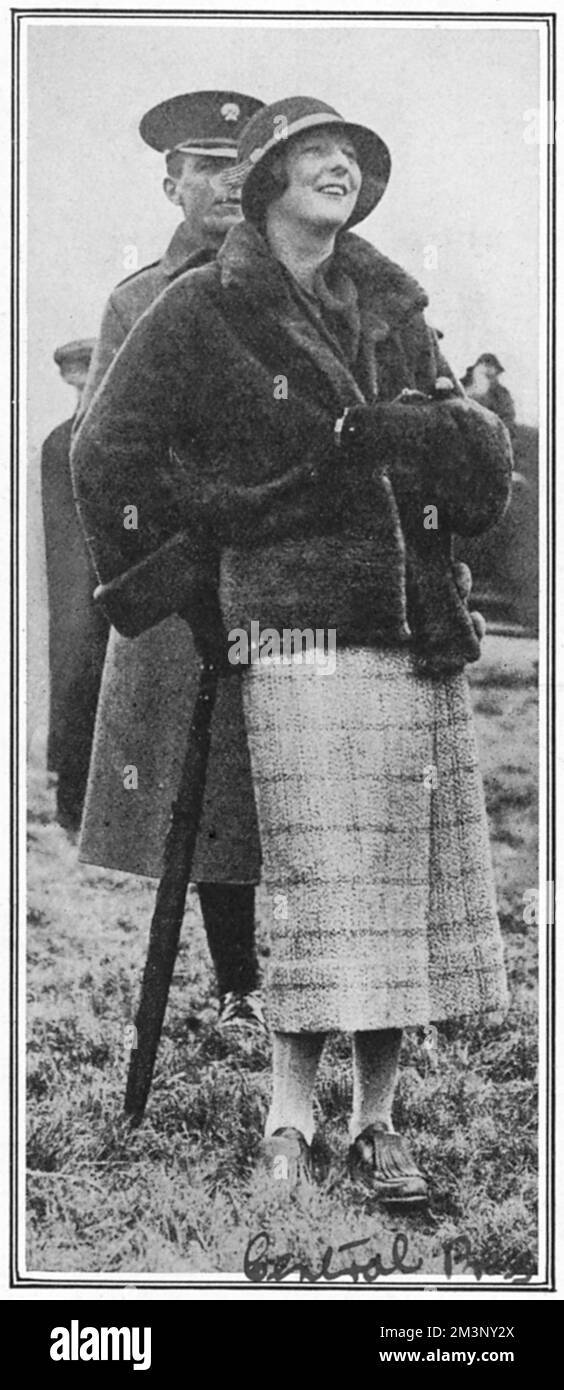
<point>376,850</point>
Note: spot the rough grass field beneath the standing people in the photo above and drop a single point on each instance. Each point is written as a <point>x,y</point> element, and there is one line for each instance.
<point>184,1193</point>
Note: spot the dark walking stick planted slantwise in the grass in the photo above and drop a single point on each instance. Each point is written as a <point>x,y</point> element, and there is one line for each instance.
<point>172,899</point>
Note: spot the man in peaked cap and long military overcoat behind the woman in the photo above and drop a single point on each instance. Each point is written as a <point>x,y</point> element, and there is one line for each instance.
<point>151,682</point>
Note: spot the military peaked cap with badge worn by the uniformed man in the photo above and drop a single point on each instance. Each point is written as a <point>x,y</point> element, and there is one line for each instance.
<point>199,123</point>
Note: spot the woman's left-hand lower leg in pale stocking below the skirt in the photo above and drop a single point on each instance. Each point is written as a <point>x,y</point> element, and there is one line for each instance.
<point>295,1063</point>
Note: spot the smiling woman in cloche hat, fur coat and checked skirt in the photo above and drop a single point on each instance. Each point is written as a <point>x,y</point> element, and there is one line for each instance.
<point>290,407</point>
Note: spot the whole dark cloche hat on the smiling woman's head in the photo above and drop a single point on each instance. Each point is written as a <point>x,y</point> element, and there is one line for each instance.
<point>276,124</point>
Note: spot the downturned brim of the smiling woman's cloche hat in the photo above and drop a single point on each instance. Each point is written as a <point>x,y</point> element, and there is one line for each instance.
<point>374,159</point>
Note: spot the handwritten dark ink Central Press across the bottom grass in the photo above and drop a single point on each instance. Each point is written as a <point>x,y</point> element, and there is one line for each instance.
<point>260,1266</point>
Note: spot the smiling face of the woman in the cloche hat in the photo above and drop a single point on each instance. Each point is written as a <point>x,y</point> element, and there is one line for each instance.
<point>323,179</point>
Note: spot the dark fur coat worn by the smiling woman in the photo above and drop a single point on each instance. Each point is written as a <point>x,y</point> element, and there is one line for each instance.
<point>217,419</point>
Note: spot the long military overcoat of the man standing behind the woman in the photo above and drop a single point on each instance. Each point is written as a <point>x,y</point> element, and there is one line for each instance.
<point>149,689</point>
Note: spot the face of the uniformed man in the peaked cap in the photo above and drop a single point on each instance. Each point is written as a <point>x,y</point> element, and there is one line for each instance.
<point>209,208</point>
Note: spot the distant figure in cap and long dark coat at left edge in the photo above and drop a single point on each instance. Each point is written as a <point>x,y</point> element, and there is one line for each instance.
<point>77,630</point>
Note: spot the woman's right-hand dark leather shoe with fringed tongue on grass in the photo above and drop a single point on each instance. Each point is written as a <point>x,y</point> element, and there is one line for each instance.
<point>381,1164</point>
